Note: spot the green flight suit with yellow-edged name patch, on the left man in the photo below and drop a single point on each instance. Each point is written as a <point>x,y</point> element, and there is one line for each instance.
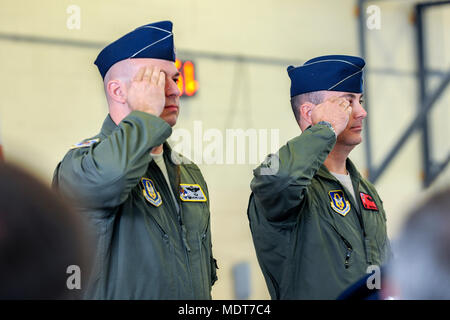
<point>145,248</point>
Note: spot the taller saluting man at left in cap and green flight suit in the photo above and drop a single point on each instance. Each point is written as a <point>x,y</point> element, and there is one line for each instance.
<point>148,206</point>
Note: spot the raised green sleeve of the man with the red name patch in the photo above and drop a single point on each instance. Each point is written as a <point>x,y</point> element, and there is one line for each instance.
<point>280,183</point>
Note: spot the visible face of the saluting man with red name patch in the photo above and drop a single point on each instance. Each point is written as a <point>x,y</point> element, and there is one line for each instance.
<point>351,136</point>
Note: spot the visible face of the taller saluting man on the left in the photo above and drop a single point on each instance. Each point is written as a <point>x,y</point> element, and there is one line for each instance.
<point>171,107</point>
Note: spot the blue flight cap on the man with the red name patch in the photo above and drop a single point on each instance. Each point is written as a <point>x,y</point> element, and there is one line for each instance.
<point>331,73</point>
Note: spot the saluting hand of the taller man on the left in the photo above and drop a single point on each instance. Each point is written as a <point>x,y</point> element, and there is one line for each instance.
<point>146,92</point>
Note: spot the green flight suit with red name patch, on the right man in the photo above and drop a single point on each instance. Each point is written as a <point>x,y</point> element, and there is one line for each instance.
<point>312,239</point>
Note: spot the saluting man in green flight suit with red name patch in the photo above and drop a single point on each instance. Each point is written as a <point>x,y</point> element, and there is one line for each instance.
<point>316,224</point>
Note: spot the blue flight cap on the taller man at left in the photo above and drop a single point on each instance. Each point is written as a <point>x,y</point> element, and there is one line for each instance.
<point>153,40</point>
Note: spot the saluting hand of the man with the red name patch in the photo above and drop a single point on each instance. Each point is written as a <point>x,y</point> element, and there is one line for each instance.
<point>335,111</point>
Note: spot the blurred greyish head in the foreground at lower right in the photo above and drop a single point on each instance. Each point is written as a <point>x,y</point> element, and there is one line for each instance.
<point>421,265</point>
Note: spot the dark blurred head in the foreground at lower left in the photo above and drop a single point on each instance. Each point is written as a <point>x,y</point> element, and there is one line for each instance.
<point>43,242</point>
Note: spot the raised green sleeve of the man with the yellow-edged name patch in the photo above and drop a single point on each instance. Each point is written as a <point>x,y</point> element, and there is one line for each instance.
<point>102,175</point>
